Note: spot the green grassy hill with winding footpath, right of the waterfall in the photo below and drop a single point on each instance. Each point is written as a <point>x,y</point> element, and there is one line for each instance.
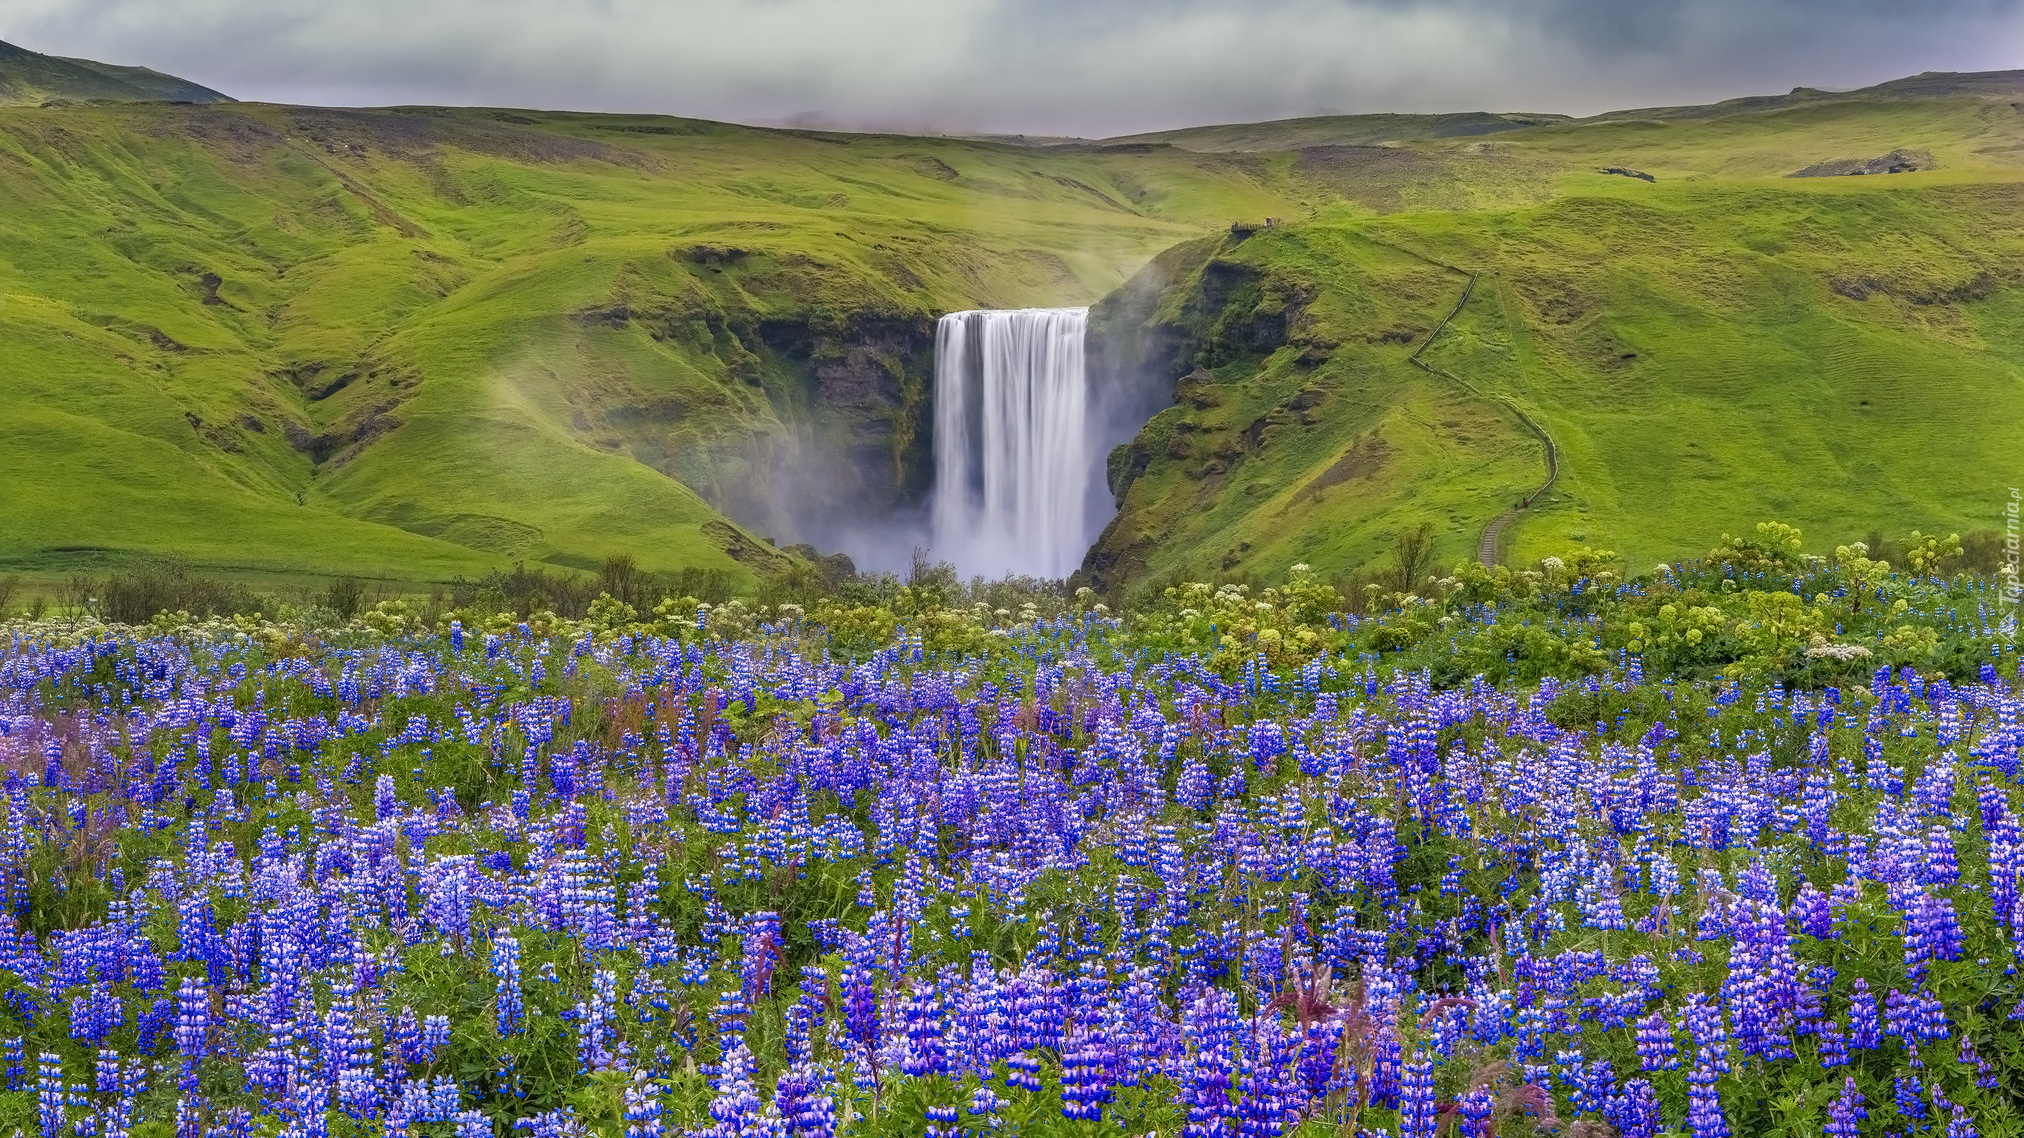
<point>1709,349</point>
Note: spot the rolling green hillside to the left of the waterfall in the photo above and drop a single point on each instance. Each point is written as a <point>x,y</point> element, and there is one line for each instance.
<point>426,341</point>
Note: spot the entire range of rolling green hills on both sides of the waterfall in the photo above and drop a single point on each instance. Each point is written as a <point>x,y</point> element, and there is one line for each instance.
<point>420,343</point>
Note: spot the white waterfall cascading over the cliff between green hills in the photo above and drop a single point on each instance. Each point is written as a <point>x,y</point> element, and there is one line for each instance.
<point>1015,442</point>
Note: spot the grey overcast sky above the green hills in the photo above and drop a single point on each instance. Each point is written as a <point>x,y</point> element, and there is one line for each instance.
<point>1086,68</point>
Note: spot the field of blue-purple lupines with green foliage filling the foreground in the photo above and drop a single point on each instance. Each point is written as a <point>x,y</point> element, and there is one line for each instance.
<point>1717,849</point>
